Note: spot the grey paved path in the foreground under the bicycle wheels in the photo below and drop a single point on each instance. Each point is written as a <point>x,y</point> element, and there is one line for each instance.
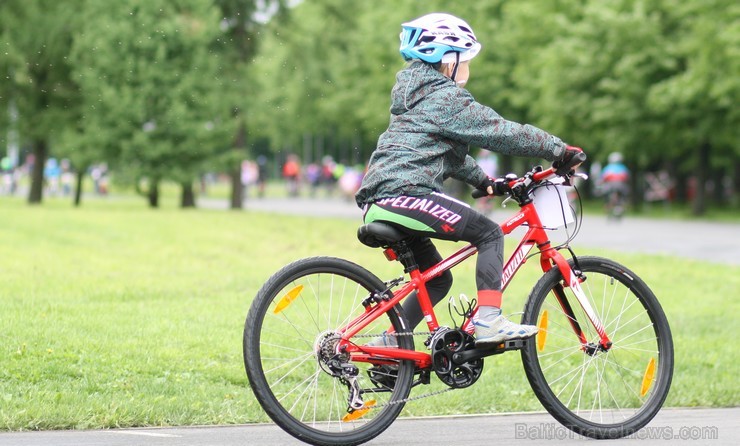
<point>712,427</point>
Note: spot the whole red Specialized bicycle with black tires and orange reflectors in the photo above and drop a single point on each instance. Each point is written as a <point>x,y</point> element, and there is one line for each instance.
<point>601,363</point>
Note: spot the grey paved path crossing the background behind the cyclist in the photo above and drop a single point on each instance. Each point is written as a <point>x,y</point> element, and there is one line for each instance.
<point>709,241</point>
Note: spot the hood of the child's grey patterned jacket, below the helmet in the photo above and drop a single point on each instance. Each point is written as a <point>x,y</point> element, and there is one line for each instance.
<point>413,84</point>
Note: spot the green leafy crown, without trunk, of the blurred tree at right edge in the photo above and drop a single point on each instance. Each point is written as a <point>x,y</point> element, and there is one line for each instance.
<point>699,97</point>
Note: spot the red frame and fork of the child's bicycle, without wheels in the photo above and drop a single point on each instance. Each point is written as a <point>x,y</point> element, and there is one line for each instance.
<point>550,257</point>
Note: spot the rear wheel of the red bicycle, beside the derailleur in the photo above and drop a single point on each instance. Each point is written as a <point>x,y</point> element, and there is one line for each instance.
<point>281,360</point>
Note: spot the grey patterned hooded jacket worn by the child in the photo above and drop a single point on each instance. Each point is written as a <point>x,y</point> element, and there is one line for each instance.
<point>433,123</point>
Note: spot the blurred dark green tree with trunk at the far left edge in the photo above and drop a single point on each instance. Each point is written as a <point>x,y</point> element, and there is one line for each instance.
<point>36,38</point>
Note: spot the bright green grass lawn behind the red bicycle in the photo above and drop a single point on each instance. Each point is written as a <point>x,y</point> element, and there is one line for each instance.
<point>115,315</point>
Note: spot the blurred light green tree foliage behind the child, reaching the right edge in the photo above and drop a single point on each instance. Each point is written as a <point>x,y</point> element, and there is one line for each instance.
<point>650,78</point>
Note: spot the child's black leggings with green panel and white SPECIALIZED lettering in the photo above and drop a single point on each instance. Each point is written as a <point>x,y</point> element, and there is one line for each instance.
<point>442,217</point>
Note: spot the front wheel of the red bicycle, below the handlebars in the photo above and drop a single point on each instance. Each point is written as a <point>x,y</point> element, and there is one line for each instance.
<point>607,394</point>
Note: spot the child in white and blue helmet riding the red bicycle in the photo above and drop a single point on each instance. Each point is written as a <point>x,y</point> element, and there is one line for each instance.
<point>434,120</point>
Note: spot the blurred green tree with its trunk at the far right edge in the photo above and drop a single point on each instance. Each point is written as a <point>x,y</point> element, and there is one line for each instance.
<point>697,103</point>
